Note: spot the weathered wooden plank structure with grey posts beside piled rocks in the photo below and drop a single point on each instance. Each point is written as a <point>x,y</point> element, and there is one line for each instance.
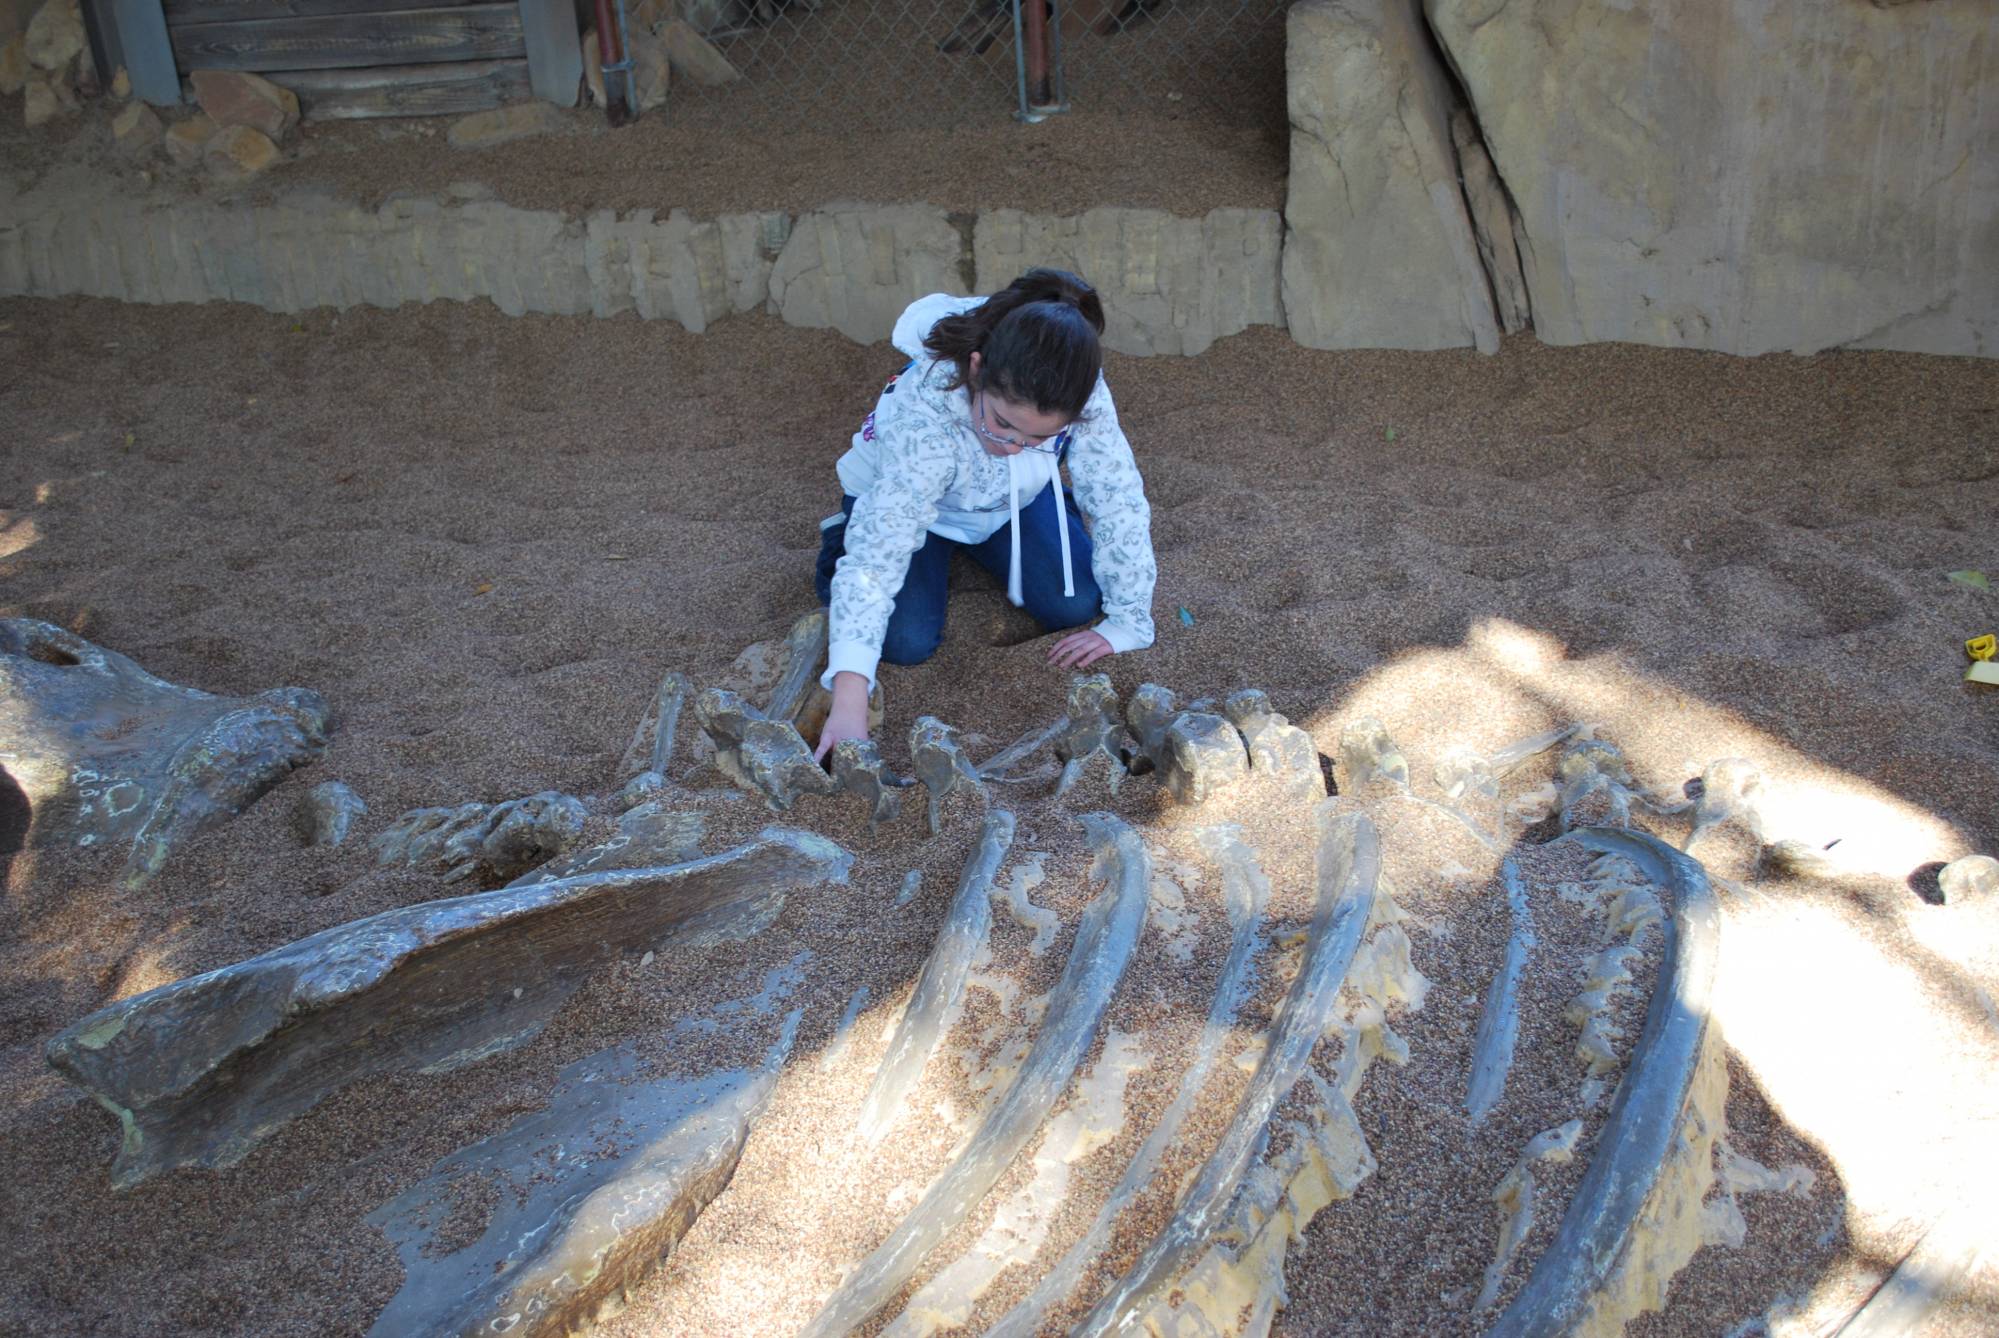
<point>351,57</point>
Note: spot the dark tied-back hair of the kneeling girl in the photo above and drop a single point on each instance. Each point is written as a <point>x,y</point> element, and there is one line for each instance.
<point>1036,343</point>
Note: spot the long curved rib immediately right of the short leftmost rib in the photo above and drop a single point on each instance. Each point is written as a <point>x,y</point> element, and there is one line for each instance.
<point>1104,945</point>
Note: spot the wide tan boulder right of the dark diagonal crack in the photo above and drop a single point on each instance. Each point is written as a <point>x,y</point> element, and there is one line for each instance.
<point>1744,177</point>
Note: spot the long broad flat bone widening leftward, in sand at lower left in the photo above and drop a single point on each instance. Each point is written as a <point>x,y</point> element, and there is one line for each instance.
<point>205,1069</point>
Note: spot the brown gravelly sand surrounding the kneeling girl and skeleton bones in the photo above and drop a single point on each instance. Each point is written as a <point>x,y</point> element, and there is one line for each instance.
<point>485,539</point>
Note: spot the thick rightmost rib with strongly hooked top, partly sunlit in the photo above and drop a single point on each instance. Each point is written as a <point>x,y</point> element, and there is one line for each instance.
<point>1636,1217</point>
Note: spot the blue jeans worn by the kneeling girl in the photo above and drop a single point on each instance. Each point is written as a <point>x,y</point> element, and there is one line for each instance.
<point>917,627</point>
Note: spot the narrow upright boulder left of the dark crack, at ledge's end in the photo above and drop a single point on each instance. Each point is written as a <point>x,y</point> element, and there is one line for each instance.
<point>1378,247</point>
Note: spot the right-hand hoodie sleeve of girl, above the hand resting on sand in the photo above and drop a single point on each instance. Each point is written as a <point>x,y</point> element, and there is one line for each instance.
<point>1110,491</point>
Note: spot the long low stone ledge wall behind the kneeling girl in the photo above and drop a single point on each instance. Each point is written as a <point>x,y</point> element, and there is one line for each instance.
<point>1170,285</point>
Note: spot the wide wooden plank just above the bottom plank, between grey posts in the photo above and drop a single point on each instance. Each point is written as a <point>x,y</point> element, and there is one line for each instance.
<point>345,41</point>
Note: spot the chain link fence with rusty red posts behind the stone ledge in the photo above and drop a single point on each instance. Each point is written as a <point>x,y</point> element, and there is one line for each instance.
<point>915,63</point>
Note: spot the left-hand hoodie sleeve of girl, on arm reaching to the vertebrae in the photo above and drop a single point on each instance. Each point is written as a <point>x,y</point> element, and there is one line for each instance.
<point>919,463</point>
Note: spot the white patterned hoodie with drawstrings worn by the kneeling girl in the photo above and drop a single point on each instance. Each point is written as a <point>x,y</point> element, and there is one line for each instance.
<point>919,469</point>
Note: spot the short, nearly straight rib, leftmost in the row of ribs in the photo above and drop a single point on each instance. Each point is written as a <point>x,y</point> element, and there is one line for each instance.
<point>943,983</point>
